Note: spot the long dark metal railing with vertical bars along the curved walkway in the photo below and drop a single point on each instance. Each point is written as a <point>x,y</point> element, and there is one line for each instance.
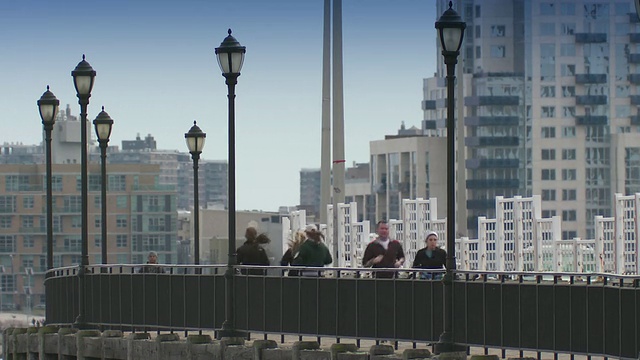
<point>578,313</point>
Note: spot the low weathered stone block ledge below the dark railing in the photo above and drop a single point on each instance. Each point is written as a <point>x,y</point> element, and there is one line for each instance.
<point>48,343</point>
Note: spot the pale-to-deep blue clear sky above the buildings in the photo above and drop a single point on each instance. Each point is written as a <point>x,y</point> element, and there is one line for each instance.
<point>157,73</point>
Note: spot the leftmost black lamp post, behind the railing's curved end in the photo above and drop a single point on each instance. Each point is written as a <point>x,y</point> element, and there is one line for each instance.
<point>48,106</point>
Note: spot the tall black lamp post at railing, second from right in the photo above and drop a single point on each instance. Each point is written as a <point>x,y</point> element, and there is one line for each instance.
<point>230,58</point>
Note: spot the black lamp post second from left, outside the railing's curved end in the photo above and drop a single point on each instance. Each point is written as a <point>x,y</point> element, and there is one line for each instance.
<point>83,79</point>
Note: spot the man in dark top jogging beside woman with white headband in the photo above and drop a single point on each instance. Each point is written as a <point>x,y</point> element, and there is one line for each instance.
<point>383,252</point>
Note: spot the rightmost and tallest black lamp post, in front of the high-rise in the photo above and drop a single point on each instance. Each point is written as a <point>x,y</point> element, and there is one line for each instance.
<point>451,32</point>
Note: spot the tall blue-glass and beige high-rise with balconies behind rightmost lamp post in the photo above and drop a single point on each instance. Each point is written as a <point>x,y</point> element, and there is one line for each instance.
<point>547,103</point>
